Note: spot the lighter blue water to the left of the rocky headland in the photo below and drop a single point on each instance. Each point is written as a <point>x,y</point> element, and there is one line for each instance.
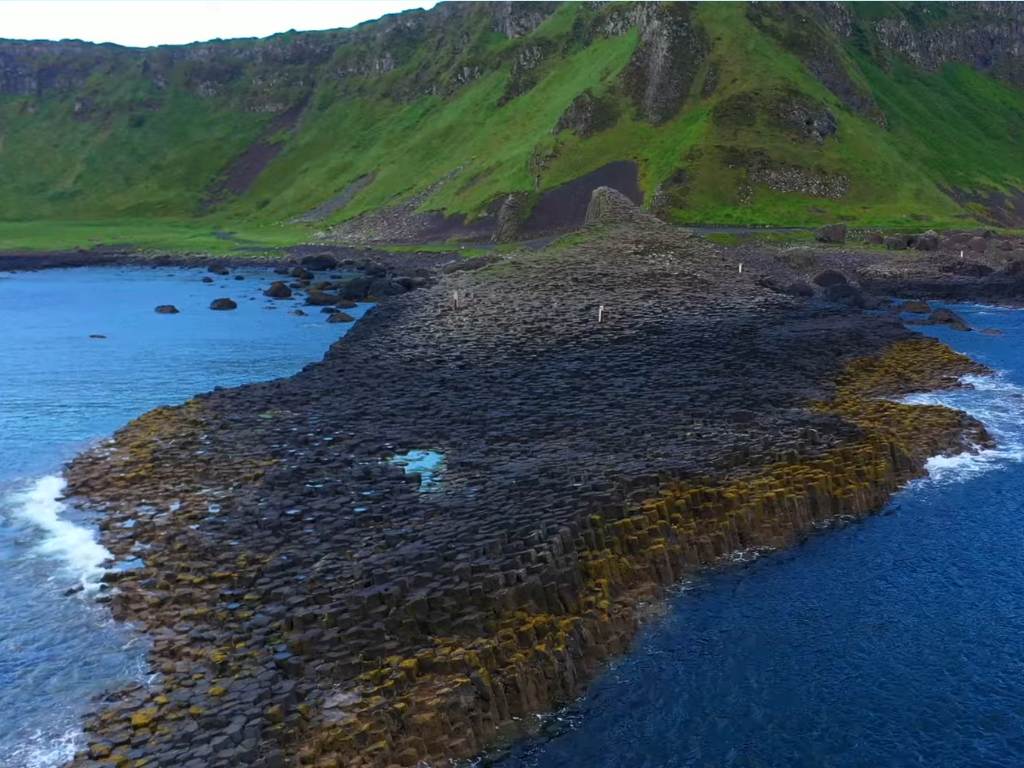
<point>61,391</point>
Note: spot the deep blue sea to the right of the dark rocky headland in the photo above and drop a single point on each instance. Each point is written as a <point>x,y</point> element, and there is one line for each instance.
<point>894,643</point>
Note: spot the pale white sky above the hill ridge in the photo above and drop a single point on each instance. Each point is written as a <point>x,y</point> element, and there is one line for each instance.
<point>143,23</point>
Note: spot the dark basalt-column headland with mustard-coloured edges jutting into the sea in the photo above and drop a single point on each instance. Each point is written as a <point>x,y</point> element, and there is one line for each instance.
<point>623,408</point>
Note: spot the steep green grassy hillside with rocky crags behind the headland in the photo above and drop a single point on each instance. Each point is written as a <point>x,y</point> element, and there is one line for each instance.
<point>879,114</point>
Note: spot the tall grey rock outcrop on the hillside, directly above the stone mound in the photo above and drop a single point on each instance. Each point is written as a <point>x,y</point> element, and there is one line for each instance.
<point>672,49</point>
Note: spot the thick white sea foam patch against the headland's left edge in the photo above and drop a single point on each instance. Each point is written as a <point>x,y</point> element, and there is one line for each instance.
<point>73,545</point>
